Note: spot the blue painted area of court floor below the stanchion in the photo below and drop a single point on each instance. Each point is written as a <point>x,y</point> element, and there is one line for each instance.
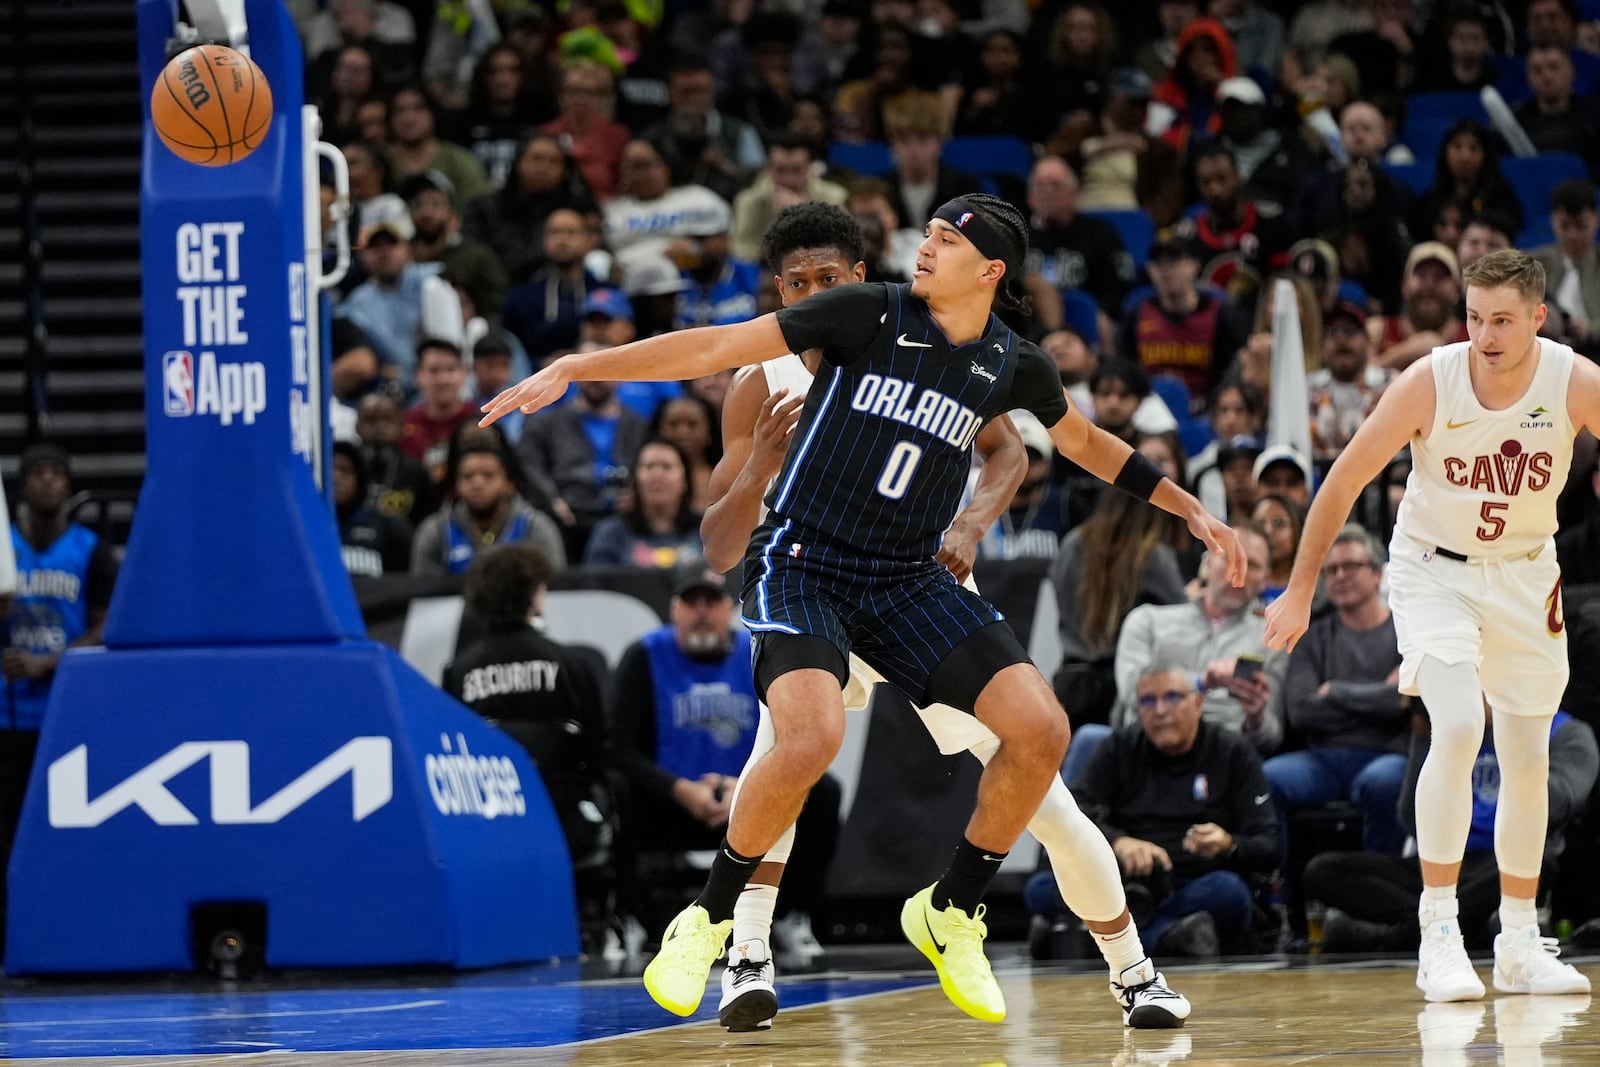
<point>524,1009</point>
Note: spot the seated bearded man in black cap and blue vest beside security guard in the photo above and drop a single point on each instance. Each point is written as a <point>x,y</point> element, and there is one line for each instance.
<point>686,711</point>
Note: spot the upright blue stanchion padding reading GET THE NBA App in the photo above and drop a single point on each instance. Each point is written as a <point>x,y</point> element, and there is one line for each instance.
<point>233,540</point>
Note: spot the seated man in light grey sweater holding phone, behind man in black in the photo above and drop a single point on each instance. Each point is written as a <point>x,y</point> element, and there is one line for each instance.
<point>1210,637</point>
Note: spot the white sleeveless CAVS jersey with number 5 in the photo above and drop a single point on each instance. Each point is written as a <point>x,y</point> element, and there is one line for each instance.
<point>1486,482</point>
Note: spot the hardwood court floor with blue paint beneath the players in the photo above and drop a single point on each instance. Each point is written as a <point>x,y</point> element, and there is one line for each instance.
<point>1252,1015</point>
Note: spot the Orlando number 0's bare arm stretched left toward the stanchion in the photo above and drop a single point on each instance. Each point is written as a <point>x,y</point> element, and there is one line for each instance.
<point>666,358</point>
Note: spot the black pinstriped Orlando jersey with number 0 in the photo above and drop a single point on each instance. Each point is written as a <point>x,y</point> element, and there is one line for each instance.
<point>881,457</point>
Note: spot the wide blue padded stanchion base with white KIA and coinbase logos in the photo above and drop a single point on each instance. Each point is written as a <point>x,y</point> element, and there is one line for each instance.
<point>377,820</point>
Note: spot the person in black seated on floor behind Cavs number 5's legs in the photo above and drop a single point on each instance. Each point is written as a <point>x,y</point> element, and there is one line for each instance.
<point>1382,892</point>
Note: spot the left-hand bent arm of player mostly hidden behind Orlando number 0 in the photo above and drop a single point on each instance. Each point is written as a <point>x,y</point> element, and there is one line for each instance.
<point>756,430</point>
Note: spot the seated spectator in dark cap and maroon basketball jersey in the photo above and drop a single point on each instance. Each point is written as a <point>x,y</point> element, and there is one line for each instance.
<point>1182,330</point>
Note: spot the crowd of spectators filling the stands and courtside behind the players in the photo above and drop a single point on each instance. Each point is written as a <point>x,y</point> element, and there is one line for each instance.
<point>529,183</point>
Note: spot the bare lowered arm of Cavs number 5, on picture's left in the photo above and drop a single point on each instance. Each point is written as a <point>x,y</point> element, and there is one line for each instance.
<point>1404,412</point>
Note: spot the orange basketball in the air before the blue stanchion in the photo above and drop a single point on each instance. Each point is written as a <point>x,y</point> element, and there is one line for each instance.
<point>212,106</point>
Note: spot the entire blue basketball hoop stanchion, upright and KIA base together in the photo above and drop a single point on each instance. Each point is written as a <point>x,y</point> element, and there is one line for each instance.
<point>239,741</point>
